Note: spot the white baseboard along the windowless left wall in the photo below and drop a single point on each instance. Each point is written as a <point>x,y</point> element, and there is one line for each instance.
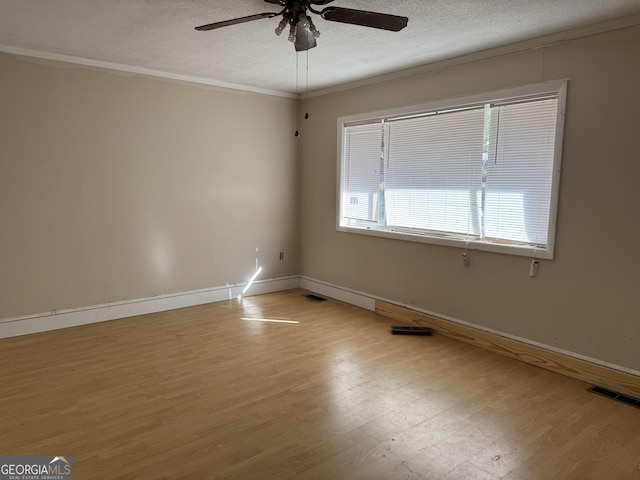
<point>13,327</point>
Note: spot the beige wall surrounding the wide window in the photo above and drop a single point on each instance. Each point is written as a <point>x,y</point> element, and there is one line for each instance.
<point>586,300</point>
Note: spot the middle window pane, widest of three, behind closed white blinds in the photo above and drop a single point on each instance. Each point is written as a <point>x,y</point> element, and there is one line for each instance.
<point>434,172</point>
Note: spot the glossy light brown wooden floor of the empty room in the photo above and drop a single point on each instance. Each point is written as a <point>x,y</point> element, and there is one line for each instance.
<point>213,392</point>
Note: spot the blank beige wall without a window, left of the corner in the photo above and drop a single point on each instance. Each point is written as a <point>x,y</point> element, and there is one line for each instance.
<point>117,187</point>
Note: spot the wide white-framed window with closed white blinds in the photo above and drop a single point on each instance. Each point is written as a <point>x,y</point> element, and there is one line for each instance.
<point>477,172</point>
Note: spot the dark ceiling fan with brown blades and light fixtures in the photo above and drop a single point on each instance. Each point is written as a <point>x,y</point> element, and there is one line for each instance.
<point>302,31</point>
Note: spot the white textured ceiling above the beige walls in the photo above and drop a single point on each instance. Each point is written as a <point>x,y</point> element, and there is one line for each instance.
<point>159,36</point>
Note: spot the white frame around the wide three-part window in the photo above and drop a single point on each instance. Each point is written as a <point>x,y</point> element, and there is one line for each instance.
<point>556,87</point>
